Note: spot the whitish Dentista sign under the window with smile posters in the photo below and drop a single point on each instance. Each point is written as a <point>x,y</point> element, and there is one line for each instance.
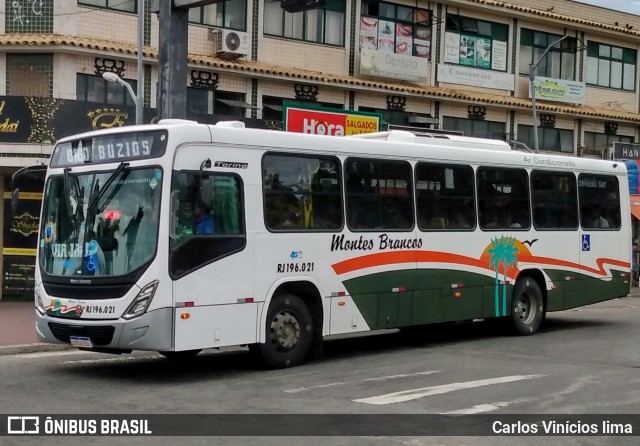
<point>393,66</point>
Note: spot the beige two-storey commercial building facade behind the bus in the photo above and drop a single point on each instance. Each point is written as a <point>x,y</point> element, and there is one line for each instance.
<point>454,65</point>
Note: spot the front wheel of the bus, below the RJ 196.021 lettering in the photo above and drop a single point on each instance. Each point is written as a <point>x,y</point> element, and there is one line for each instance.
<point>289,332</point>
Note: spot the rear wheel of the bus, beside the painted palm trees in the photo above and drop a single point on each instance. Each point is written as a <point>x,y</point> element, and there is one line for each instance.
<point>527,307</point>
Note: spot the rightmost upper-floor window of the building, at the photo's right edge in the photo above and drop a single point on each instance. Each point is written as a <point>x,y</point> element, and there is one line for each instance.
<point>611,66</point>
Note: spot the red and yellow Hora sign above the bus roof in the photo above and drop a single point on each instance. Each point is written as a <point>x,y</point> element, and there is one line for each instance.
<point>325,121</point>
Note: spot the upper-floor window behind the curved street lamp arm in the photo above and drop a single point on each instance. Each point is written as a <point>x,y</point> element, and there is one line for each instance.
<point>558,63</point>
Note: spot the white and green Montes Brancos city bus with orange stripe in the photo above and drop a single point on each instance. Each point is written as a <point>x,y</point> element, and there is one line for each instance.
<point>180,236</point>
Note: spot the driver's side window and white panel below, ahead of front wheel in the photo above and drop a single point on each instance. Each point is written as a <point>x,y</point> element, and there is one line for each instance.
<point>209,261</point>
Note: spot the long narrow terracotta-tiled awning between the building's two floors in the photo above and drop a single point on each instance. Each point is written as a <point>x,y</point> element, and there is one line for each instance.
<point>261,69</point>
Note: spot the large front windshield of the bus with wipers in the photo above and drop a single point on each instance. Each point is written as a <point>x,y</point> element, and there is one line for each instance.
<point>100,223</point>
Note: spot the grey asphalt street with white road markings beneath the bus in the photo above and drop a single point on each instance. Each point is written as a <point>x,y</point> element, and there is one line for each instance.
<point>583,361</point>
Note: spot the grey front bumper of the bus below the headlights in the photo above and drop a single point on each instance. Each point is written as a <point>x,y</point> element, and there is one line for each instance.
<point>152,331</point>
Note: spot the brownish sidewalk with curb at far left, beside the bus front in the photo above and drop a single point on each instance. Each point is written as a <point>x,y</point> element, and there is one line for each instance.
<point>18,333</point>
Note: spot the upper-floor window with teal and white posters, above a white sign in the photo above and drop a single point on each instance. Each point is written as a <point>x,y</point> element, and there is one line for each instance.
<point>476,43</point>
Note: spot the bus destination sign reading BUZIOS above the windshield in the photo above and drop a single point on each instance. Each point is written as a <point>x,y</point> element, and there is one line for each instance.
<point>110,148</point>
